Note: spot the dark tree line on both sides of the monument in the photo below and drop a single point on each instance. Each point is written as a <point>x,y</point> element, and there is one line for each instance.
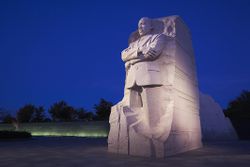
<point>238,111</point>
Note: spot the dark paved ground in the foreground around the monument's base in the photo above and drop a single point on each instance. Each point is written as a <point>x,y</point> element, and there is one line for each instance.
<point>73,151</point>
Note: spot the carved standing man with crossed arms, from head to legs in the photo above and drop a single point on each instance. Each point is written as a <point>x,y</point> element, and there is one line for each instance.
<point>143,80</point>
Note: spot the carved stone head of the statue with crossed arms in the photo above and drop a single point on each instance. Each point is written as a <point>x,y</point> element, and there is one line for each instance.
<point>144,26</point>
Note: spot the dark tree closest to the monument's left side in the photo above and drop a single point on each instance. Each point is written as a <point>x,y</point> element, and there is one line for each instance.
<point>103,109</point>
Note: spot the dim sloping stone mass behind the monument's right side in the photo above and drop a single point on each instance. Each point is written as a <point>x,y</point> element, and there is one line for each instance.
<point>215,126</point>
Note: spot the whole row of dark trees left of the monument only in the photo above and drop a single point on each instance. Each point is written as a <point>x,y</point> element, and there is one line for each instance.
<point>60,111</point>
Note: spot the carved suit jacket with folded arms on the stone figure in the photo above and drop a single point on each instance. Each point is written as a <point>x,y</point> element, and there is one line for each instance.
<point>142,56</point>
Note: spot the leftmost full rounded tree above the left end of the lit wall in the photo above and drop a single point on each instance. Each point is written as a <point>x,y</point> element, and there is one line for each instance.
<point>25,113</point>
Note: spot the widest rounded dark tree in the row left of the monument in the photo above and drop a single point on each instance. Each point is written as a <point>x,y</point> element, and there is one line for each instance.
<point>61,111</point>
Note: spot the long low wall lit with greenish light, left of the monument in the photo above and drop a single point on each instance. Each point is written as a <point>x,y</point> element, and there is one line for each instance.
<point>74,129</point>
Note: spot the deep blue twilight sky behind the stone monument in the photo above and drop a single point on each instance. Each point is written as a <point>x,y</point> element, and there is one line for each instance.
<point>70,50</point>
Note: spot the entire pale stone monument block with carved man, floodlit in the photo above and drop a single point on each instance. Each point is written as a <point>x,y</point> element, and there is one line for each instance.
<point>159,113</point>
